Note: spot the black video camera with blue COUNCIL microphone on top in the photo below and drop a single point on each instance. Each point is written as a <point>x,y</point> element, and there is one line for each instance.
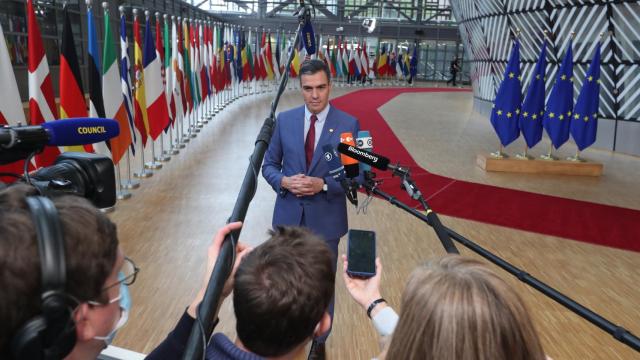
<point>89,175</point>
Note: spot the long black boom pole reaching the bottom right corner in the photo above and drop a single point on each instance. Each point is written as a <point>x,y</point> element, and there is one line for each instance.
<point>618,332</point>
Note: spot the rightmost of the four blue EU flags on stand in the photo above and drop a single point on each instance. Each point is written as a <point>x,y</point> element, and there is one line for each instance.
<point>584,123</point>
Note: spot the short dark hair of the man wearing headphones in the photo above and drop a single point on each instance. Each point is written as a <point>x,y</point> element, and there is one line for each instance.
<point>91,246</point>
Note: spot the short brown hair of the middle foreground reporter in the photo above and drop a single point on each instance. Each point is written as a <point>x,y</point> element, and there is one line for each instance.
<point>282,290</point>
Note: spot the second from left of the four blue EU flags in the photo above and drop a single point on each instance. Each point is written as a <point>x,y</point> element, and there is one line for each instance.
<point>533,107</point>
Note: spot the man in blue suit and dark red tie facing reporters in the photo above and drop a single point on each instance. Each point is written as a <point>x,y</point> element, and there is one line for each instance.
<point>295,168</point>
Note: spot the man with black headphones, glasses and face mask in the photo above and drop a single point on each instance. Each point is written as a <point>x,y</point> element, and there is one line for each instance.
<point>63,277</point>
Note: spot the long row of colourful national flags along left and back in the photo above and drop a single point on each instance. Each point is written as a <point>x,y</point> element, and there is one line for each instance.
<point>176,66</point>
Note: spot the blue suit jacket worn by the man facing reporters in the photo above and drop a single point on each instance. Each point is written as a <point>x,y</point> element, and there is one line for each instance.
<point>325,212</point>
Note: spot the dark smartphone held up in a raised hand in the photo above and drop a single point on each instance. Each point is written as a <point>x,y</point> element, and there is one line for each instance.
<point>361,253</point>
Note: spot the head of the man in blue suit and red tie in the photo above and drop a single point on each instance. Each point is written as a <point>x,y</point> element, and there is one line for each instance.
<point>315,81</point>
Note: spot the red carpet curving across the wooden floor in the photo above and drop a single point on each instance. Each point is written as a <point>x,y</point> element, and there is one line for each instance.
<point>573,219</point>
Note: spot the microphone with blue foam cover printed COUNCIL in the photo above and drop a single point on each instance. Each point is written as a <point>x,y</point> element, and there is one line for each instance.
<point>17,142</point>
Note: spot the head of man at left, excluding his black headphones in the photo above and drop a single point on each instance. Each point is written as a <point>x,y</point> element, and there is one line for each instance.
<point>93,260</point>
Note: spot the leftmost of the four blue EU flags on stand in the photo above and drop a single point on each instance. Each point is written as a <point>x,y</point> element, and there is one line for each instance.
<point>506,107</point>
